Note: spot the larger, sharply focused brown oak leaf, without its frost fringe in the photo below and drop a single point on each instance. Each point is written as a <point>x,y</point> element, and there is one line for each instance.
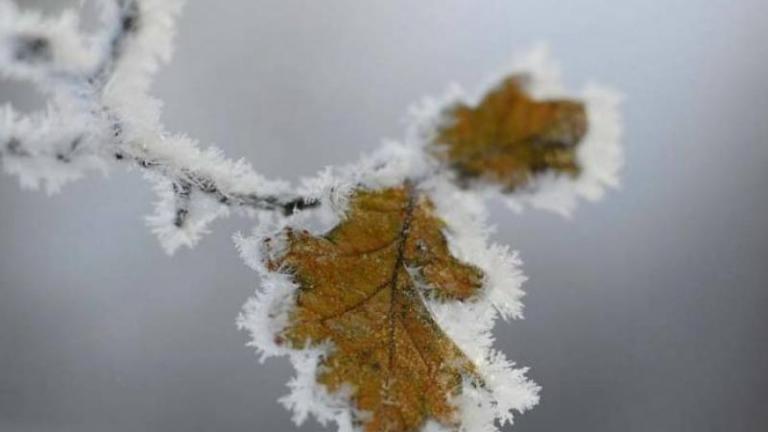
<point>362,286</point>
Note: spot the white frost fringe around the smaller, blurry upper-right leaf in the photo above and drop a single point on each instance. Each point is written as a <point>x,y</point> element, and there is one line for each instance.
<point>600,153</point>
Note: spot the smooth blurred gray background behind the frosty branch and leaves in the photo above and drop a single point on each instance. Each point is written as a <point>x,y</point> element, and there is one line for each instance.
<point>646,312</point>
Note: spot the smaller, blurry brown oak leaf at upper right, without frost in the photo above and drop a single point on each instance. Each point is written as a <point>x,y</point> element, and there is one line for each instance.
<point>509,138</point>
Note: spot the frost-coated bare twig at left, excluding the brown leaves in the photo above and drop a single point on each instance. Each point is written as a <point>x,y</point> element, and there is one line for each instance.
<point>100,112</point>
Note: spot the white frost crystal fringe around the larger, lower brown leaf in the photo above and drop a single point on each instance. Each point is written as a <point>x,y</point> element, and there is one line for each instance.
<point>469,324</point>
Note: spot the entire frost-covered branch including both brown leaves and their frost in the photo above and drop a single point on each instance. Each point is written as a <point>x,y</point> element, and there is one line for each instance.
<point>522,140</point>
